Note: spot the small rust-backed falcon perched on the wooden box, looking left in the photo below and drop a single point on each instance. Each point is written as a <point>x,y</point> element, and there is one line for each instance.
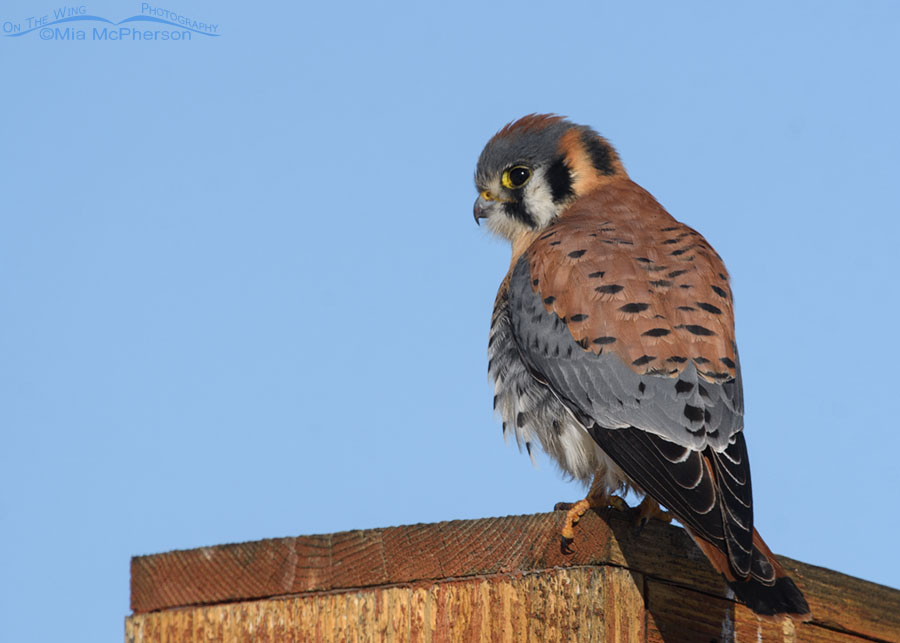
<point>612,344</point>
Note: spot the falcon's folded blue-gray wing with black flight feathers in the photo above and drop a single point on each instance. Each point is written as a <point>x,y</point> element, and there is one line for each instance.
<point>675,434</point>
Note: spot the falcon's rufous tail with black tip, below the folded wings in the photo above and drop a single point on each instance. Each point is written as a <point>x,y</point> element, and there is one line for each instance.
<point>767,589</point>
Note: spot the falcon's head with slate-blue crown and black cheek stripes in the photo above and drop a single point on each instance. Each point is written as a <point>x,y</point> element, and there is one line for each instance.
<point>533,168</point>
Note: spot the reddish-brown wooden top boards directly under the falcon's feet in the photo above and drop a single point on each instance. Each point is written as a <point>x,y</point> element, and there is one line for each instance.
<point>488,546</point>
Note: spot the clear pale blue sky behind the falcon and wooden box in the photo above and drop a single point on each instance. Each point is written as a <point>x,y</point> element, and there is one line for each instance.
<point>243,296</point>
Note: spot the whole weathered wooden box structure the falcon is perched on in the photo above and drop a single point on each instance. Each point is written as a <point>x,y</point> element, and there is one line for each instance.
<point>494,579</point>
